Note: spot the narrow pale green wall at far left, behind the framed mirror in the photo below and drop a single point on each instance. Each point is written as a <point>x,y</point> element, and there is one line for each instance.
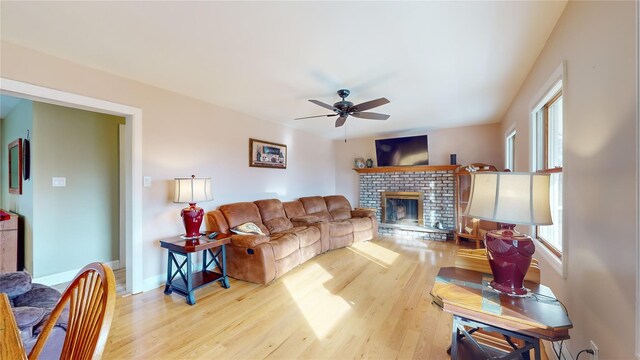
<point>15,125</point>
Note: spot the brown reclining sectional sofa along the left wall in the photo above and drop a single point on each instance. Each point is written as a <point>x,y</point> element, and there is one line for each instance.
<point>295,231</point>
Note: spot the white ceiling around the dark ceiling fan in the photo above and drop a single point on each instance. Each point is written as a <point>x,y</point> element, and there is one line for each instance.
<point>442,64</point>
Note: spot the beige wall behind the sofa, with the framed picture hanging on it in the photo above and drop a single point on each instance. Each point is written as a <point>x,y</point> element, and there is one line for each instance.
<point>183,136</point>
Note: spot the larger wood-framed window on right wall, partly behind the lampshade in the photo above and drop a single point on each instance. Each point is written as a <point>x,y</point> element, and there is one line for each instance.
<point>547,154</point>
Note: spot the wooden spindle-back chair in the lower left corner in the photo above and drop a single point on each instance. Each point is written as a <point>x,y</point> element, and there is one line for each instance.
<point>91,300</point>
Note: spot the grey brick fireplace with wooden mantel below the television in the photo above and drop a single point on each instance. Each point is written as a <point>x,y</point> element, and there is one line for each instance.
<point>411,201</point>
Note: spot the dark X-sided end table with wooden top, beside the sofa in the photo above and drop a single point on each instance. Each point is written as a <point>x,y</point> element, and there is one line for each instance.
<point>185,281</point>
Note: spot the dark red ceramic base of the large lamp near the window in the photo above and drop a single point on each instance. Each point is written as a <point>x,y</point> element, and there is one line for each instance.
<point>509,254</point>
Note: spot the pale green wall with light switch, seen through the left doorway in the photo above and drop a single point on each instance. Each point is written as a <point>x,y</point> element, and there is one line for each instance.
<point>79,223</point>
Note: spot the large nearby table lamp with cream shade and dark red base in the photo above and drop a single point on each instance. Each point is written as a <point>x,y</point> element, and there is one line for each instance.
<point>509,198</point>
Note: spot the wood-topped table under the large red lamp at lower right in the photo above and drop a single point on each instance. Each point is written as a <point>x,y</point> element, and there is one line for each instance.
<point>474,305</point>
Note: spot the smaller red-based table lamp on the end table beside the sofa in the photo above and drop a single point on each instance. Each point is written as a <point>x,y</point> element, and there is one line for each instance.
<point>192,190</point>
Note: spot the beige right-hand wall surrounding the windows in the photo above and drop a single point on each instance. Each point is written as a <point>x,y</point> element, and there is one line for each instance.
<point>597,40</point>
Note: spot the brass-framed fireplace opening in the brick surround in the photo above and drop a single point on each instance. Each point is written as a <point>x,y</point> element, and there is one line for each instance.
<point>404,208</point>
